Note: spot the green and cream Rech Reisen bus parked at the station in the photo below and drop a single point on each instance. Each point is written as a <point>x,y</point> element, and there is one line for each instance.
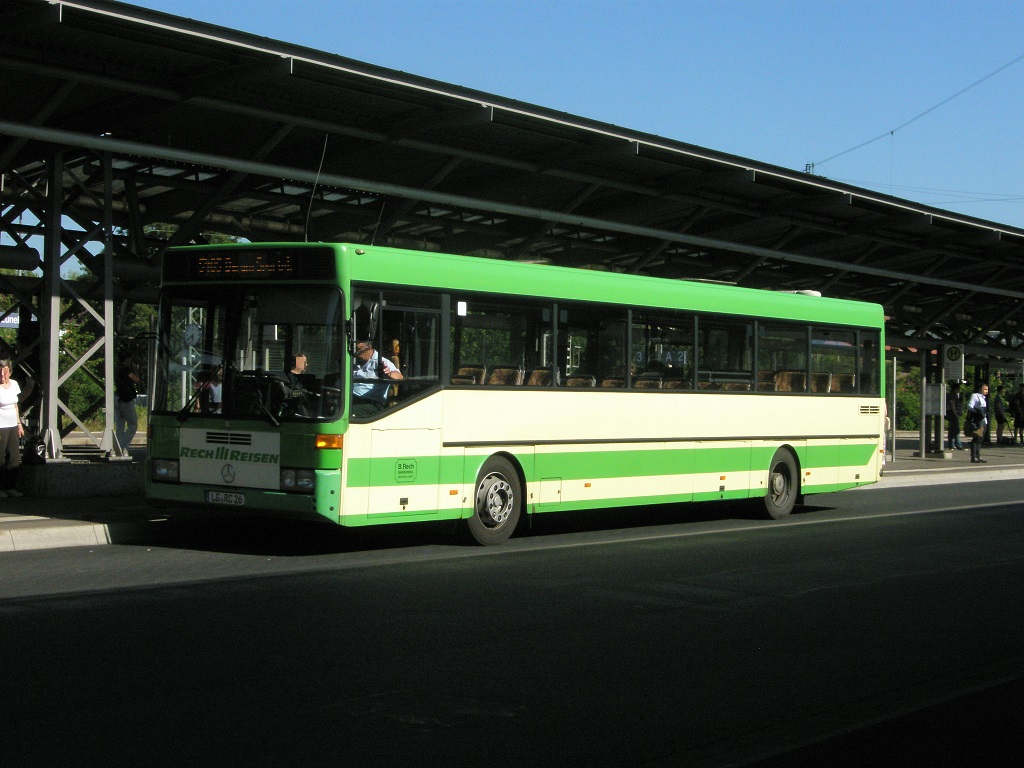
<point>525,389</point>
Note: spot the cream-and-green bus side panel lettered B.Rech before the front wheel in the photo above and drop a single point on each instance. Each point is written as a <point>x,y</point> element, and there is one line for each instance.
<point>404,474</point>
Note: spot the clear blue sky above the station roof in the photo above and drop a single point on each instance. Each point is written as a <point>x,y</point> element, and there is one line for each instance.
<point>921,100</point>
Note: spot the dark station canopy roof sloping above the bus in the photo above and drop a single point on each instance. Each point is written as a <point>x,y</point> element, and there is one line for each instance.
<point>217,131</point>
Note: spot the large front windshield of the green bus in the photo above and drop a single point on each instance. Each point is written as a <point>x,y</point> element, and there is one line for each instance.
<point>273,353</point>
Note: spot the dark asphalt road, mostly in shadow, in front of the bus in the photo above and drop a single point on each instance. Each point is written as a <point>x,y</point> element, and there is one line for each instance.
<point>594,642</point>
